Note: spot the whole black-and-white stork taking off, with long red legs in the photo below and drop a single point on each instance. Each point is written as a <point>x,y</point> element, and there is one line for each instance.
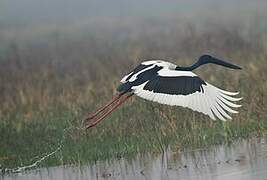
<point>167,83</point>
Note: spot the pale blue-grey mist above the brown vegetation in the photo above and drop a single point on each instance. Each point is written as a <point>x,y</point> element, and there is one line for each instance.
<point>31,17</point>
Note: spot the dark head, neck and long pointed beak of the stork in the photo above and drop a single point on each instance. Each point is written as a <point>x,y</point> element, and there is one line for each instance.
<point>205,59</point>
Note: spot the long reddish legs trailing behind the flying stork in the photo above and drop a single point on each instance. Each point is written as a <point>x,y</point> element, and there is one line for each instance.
<point>94,118</point>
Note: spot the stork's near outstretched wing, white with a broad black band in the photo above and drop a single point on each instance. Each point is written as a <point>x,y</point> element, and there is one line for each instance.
<point>184,88</point>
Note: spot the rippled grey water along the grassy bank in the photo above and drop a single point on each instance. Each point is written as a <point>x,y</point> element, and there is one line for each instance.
<point>242,160</point>
